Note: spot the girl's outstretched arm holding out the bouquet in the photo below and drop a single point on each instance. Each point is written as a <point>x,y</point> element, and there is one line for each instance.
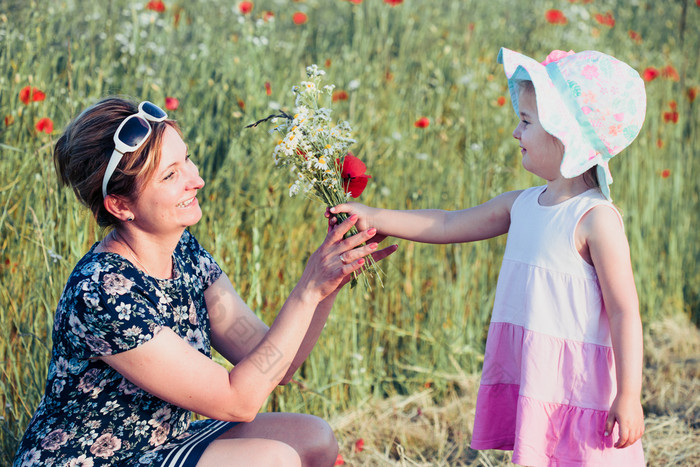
<point>486,220</point>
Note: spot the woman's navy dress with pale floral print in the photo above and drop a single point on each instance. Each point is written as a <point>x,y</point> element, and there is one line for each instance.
<point>90,415</point>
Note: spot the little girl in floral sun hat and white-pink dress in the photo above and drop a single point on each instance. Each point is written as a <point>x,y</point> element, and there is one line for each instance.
<point>561,379</point>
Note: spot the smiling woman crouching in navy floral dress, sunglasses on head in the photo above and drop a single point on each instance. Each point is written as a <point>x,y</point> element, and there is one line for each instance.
<point>132,333</point>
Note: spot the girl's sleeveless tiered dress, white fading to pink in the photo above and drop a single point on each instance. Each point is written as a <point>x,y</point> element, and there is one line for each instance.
<point>549,376</point>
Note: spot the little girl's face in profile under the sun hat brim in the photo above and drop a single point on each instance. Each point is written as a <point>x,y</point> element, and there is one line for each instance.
<point>542,153</point>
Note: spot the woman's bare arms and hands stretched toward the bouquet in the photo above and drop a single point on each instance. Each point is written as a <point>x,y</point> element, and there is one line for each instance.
<point>171,369</point>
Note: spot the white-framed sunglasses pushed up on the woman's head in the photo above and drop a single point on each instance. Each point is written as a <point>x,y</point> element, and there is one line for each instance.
<point>131,134</point>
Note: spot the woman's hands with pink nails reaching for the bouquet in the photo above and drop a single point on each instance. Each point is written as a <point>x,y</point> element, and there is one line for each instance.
<point>331,266</point>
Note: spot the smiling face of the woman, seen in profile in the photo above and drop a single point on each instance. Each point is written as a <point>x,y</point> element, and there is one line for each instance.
<point>167,201</point>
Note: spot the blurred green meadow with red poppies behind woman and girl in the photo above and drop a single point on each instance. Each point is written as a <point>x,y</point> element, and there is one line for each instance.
<point>396,370</point>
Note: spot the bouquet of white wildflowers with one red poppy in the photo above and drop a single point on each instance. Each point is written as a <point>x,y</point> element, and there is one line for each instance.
<point>315,150</point>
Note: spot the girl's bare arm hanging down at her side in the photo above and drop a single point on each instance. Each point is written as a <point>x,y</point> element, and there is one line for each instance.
<point>609,252</point>
